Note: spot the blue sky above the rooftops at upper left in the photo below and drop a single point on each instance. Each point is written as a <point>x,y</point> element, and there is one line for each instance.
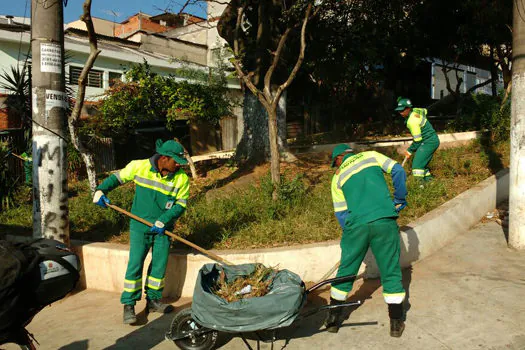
<point>113,10</point>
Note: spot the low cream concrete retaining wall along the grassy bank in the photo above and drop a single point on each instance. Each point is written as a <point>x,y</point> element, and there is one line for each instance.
<point>105,263</point>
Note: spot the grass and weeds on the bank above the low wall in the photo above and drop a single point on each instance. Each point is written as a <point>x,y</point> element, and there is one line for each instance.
<point>248,218</point>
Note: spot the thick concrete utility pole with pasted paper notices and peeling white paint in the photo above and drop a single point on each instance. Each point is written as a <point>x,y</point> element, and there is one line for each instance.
<point>49,101</point>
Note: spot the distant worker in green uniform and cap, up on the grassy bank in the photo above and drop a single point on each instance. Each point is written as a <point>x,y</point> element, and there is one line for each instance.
<point>426,141</point>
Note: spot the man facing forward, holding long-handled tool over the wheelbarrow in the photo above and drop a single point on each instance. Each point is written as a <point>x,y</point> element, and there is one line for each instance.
<point>161,194</point>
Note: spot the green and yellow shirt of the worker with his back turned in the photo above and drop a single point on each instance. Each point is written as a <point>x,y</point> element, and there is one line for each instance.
<point>360,179</point>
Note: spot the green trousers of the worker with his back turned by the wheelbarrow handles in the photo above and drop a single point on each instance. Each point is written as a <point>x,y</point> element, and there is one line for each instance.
<point>382,236</point>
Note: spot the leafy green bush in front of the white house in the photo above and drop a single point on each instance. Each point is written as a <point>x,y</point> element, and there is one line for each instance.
<point>148,96</point>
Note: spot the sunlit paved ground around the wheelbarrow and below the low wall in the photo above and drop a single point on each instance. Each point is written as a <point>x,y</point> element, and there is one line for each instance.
<point>469,295</point>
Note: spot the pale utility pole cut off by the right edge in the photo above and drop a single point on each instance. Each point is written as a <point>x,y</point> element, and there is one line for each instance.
<point>517,132</point>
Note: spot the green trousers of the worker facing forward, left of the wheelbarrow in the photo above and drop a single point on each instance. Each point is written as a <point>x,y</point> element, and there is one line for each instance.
<point>140,243</point>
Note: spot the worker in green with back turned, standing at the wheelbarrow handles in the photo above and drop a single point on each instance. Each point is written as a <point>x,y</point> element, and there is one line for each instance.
<point>367,214</point>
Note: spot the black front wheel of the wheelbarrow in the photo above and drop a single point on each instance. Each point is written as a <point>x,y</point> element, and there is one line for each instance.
<point>189,335</point>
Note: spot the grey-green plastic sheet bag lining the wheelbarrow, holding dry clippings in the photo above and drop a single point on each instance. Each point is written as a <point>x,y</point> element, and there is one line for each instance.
<point>279,308</point>
